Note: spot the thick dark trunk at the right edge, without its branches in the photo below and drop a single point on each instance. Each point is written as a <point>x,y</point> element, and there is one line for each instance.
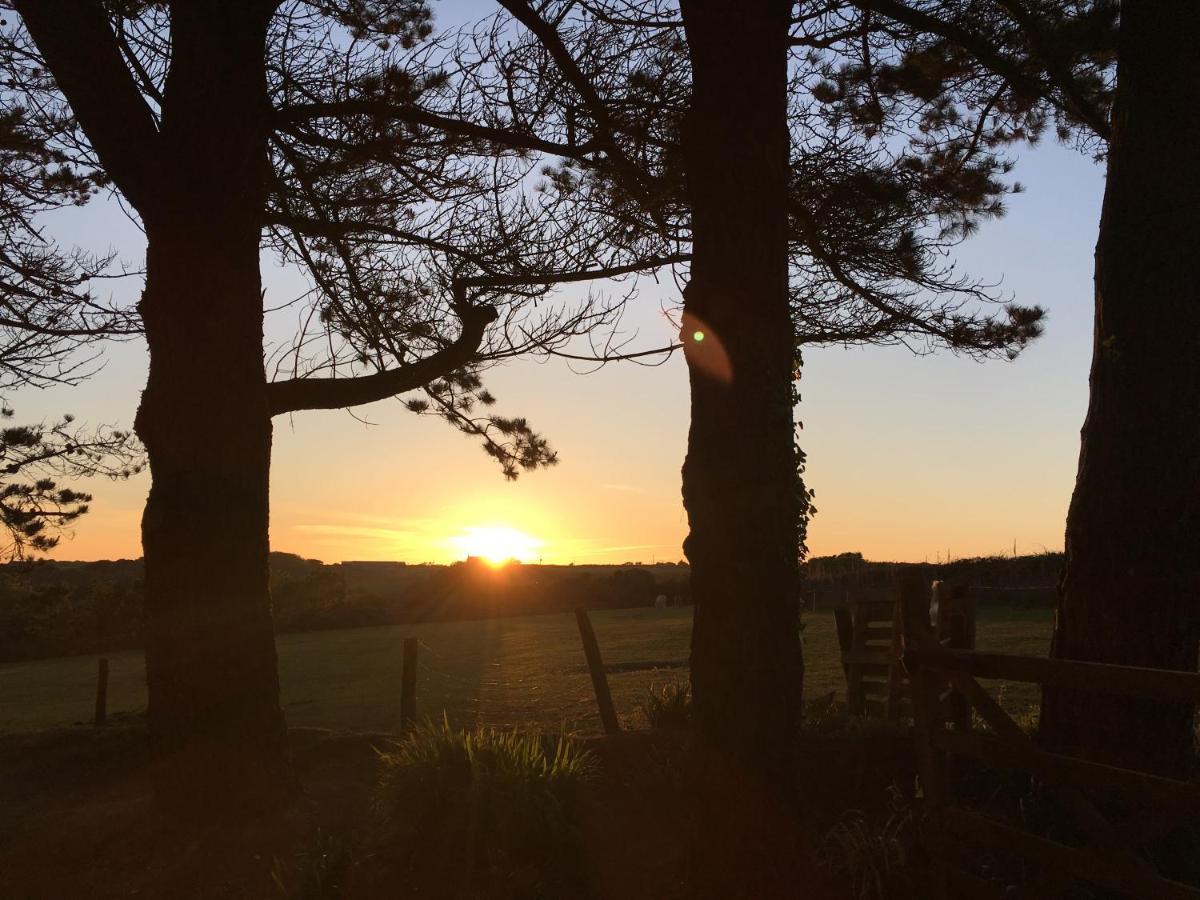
<point>1131,591</point>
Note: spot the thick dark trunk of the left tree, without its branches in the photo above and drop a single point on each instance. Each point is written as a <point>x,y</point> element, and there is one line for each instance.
<point>214,711</point>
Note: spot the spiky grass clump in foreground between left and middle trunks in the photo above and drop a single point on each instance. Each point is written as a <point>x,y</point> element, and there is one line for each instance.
<point>484,813</point>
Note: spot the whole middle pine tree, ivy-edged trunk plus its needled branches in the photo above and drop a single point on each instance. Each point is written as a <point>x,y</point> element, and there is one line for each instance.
<point>799,221</point>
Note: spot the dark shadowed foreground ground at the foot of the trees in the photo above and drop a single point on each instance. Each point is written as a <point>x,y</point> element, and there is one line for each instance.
<point>80,821</point>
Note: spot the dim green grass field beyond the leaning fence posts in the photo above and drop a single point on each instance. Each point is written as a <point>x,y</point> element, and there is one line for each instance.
<point>512,671</point>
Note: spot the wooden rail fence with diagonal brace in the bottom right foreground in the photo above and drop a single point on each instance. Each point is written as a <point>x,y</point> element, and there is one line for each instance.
<point>1111,855</point>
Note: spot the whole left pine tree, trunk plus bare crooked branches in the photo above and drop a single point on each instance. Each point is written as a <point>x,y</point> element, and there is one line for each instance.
<point>235,128</point>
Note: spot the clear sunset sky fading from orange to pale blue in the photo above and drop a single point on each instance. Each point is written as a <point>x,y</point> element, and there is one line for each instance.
<point>913,458</point>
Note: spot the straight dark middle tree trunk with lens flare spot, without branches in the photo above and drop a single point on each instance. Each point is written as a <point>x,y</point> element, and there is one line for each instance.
<point>740,481</point>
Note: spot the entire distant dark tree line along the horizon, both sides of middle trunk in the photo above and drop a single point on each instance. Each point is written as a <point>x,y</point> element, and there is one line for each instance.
<point>63,609</point>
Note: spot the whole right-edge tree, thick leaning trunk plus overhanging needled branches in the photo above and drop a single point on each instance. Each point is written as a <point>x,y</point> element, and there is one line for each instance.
<point>1129,587</point>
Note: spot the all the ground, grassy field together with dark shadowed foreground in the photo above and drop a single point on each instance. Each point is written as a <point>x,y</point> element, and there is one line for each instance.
<point>76,809</point>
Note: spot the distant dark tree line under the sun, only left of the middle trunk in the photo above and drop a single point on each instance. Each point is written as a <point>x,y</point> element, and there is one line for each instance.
<point>65,609</point>
